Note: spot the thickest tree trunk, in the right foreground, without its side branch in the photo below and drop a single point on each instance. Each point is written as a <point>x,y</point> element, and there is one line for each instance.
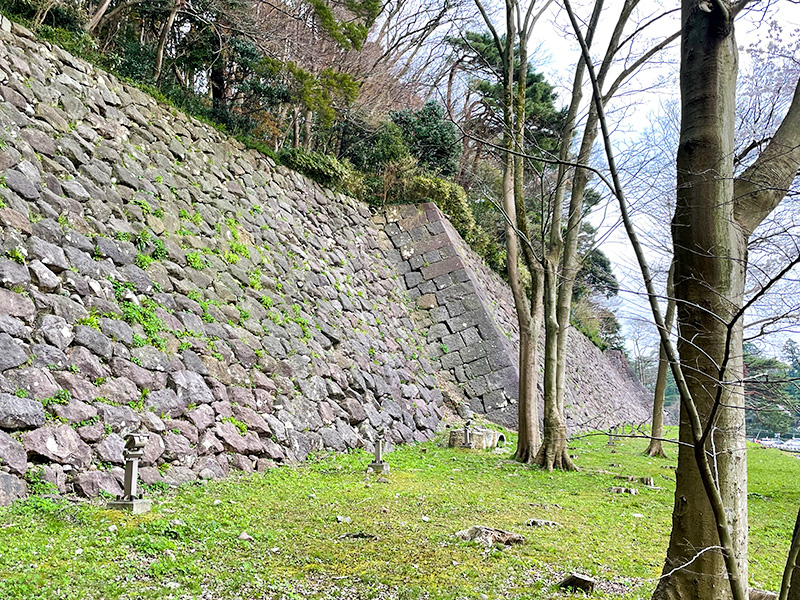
<point>710,254</point>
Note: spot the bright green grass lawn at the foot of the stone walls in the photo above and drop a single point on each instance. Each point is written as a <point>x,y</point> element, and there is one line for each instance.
<point>189,546</point>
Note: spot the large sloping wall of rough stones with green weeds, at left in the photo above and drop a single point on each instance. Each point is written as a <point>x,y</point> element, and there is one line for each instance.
<point>156,275</point>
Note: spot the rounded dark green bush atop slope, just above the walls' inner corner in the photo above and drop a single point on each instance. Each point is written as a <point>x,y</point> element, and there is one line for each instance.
<point>431,137</point>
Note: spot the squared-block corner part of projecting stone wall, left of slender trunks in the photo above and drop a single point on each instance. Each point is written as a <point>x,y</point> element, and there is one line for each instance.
<point>468,326</point>
